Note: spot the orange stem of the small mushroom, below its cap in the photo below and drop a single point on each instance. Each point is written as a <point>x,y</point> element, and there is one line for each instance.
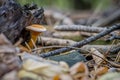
<point>34,36</point>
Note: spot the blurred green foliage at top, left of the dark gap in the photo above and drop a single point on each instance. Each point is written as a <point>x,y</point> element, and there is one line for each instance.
<point>63,4</point>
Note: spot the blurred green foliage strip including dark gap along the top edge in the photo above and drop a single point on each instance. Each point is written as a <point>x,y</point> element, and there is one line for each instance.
<point>70,4</point>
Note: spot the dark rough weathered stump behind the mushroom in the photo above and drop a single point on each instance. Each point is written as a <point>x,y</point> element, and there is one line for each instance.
<point>14,18</point>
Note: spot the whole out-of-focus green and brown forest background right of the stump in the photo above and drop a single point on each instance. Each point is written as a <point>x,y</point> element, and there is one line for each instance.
<point>86,12</point>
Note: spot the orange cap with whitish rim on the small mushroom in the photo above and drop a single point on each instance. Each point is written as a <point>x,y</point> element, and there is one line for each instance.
<point>36,28</point>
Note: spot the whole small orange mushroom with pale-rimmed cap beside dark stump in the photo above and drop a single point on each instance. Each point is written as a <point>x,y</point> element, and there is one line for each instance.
<point>35,31</point>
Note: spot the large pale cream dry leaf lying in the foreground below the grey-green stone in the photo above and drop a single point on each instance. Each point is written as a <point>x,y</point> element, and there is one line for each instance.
<point>43,67</point>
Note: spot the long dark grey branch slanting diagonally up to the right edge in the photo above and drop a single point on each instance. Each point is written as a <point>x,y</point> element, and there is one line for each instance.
<point>83,42</point>
